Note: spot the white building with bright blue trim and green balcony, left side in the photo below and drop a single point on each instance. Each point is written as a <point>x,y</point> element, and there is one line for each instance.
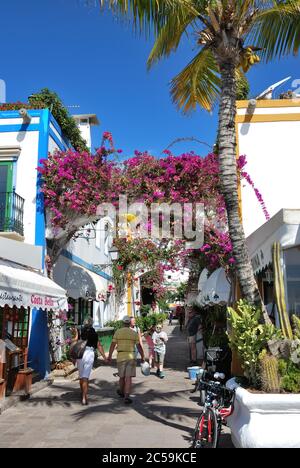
<point>24,141</point>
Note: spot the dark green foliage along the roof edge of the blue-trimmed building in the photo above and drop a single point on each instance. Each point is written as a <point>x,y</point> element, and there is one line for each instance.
<point>62,116</point>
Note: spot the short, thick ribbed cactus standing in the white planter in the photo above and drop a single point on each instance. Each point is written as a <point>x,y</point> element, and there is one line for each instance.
<point>269,375</point>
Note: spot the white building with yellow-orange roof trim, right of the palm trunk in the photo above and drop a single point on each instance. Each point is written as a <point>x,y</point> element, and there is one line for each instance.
<point>269,136</point>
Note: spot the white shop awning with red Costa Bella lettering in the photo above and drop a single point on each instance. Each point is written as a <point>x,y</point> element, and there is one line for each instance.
<point>22,287</point>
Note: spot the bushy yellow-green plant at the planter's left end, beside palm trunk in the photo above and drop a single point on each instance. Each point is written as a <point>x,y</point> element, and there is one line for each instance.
<point>249,337</point>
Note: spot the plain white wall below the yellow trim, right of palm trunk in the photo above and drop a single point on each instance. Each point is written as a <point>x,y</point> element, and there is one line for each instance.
<point>273,155</point>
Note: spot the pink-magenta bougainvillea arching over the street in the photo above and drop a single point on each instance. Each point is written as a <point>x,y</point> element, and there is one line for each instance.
<point>75,183</point>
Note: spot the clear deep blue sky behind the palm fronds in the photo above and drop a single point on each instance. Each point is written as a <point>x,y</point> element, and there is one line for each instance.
<point>94,60</point>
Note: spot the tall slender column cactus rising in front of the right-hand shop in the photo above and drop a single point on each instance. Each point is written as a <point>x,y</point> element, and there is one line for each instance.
<point>280,293</point>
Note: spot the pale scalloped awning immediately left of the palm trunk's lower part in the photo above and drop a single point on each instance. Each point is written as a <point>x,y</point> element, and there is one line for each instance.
<point>216,290</point>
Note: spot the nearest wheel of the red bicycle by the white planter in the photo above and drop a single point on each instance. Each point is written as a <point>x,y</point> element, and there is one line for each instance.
<point>206,430</point>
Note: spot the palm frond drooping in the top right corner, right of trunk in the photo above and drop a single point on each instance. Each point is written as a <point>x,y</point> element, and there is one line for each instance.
<point>277,30</point>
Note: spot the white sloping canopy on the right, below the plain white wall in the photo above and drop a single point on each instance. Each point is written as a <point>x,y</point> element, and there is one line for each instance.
<point>284,228</point>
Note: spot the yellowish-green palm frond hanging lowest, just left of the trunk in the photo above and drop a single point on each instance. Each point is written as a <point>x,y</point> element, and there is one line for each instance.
<point>198,83</point>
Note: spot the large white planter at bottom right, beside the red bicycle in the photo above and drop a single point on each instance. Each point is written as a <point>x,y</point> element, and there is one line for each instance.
<point>262,420</point>
